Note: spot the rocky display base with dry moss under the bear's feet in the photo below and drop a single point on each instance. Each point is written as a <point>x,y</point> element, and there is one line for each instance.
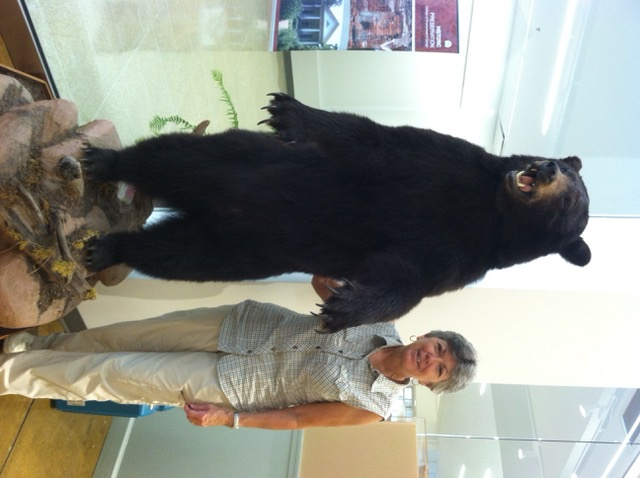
<point>49,210</point>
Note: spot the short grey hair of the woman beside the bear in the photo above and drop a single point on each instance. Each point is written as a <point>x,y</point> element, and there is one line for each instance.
<point>465,355</point>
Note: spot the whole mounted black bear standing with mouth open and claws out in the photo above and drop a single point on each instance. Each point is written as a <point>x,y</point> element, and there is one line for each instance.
<point>400,213</point>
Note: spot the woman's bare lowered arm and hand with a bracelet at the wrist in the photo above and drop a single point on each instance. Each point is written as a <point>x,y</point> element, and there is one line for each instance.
<point>322,414</point>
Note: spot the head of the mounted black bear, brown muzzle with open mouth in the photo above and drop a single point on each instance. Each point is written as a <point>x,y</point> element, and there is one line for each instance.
<point>547,201</point>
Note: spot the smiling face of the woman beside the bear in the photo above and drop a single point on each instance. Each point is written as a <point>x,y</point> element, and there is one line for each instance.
<point>428,360</point>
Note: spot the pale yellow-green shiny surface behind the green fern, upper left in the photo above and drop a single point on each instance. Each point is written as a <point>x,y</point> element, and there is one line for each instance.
<point>126,60</point>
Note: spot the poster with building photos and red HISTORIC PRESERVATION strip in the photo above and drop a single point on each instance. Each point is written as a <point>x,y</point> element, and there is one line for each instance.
<point>387,25</point>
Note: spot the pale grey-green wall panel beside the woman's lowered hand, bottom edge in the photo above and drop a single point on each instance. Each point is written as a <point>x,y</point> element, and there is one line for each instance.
<point>165,444</point>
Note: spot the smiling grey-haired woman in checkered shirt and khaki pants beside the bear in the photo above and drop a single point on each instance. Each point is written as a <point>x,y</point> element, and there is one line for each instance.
<point>249,365</point>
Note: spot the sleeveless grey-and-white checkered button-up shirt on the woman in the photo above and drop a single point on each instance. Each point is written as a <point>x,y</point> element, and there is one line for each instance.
<point>276,359</point>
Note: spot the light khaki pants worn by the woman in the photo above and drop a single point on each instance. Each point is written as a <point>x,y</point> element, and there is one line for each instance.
<point>165,360</point>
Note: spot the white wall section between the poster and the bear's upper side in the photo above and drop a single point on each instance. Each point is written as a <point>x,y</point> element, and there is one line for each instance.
<point>456,94</point>
